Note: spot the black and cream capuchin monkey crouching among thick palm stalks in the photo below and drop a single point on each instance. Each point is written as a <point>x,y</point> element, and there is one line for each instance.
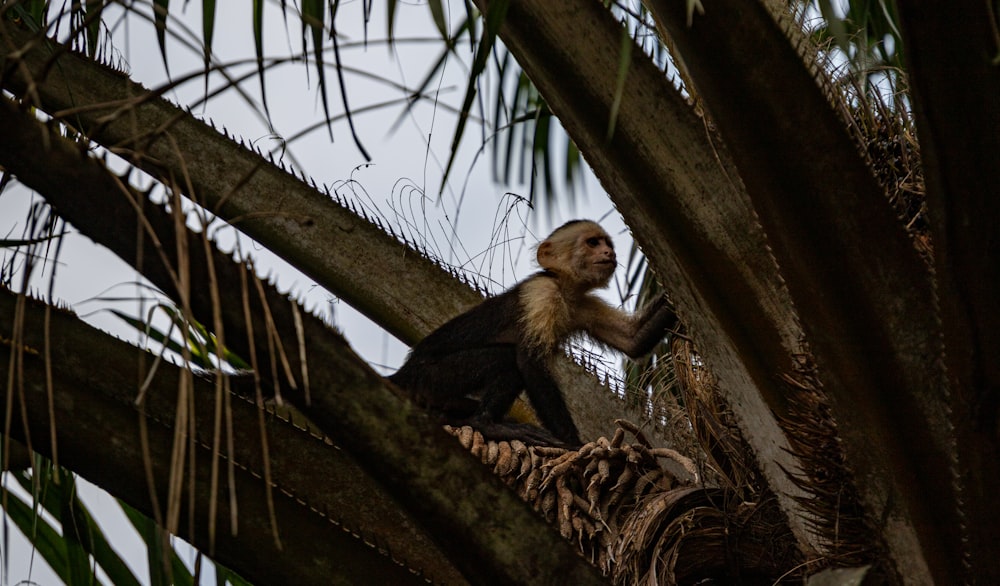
<point>473,368</point>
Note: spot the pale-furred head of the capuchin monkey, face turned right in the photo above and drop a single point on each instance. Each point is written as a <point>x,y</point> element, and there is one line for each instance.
<point>581,252</point>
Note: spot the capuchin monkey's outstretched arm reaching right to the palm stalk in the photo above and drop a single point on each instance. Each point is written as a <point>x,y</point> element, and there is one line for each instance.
<point>636,334</point>
